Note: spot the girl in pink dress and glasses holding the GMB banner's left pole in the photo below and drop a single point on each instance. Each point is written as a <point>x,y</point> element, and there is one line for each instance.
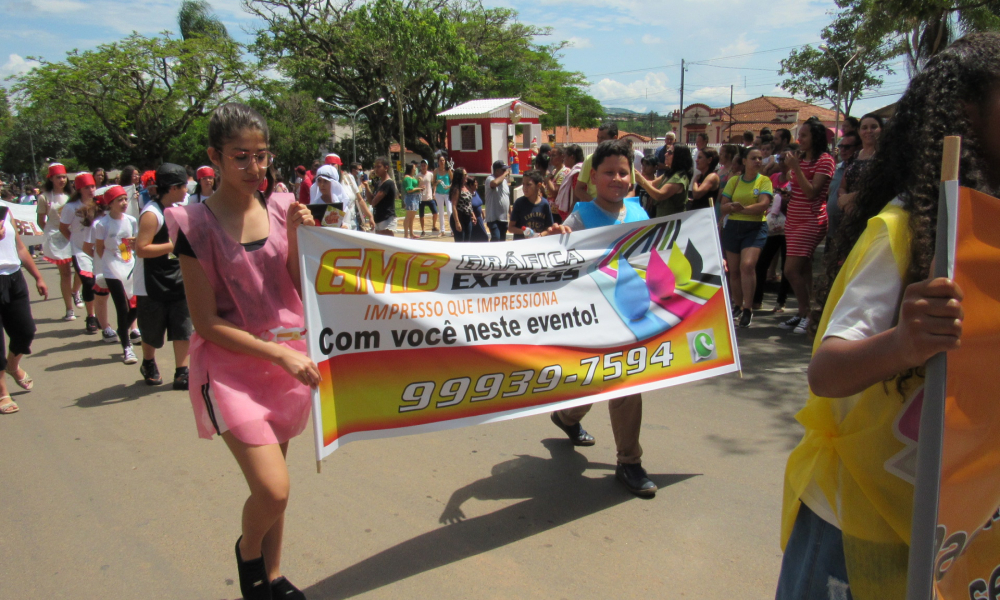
<point>250,378</point>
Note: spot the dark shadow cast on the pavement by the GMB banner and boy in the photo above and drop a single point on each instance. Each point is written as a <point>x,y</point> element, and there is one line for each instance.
<point>556,492</point>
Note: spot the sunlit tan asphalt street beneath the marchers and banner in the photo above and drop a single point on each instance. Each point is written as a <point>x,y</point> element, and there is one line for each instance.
<point>107,492</point>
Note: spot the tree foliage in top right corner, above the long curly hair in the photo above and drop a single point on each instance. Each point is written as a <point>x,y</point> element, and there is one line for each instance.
<point>921,28</point>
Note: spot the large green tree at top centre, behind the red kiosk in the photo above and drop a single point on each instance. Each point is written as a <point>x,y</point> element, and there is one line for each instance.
<point>433,54</point>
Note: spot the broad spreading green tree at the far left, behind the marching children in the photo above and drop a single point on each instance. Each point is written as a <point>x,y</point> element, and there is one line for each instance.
<point>145,92</point>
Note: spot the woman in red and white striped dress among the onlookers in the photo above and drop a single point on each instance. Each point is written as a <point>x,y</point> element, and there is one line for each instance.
<point>810,172</point>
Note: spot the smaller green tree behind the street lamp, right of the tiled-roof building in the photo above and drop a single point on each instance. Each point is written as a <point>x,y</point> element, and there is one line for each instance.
<point>812,73</point>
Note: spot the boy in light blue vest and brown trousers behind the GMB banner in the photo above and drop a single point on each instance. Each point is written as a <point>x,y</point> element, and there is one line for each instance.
<point>612,170</point>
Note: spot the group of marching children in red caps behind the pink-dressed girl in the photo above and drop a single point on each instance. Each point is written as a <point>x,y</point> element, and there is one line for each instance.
<point>115,254</point>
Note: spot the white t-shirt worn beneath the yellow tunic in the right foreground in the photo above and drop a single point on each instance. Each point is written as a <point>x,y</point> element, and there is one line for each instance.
<point>868,306</point>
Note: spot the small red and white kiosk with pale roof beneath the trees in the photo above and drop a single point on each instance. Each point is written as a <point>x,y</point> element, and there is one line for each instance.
<point>478,132</point>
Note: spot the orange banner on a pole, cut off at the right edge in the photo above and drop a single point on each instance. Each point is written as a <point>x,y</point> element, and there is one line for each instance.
<point>968,534</point>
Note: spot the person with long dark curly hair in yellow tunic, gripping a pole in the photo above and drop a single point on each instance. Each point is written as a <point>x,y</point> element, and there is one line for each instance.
<point>848,494</point>
